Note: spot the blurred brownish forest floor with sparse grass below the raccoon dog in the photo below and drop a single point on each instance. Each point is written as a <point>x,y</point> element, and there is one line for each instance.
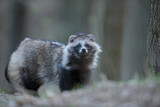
<point>104,94</point>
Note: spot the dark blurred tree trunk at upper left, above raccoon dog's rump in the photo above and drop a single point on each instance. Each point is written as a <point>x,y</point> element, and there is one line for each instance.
<point>17,23</point>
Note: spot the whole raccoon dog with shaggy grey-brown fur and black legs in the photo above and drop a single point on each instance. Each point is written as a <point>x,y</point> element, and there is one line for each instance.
<point>39,62</point>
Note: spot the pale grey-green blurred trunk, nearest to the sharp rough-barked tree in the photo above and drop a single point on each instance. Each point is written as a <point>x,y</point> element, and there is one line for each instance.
<point>134,39</point>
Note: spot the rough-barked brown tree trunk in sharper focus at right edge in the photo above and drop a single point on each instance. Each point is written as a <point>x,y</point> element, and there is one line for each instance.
<point>154,36</point>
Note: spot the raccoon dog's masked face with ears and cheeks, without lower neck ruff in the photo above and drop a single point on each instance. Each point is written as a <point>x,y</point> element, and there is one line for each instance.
<point>83,46</point>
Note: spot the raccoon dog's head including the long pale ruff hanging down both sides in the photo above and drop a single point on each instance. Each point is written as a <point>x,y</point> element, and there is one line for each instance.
<point>81,49</point>
